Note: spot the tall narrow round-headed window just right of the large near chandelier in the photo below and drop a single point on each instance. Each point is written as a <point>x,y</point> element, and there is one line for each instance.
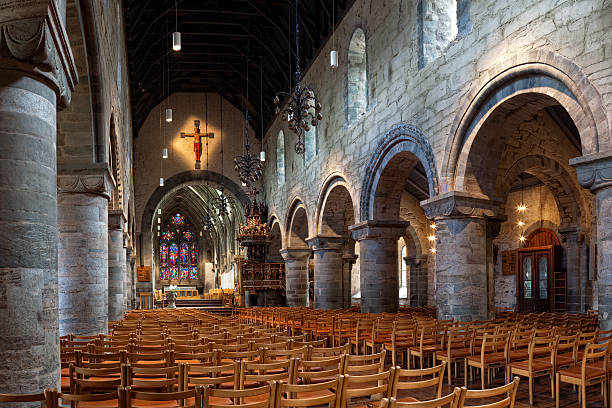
<point>357,98</point>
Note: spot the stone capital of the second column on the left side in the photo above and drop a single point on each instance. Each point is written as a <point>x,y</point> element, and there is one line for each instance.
<point>96,179</point>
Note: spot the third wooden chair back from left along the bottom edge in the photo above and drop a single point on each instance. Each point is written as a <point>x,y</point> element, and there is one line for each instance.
<point>155,398</point>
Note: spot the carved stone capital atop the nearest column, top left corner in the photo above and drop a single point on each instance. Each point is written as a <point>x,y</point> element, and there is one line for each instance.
<point>37,44</point>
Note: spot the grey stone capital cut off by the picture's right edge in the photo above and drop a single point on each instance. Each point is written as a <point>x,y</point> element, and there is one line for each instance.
<point>594,170</point>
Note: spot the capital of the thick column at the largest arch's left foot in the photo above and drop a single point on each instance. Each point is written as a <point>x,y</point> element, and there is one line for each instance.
<point>458,204</point>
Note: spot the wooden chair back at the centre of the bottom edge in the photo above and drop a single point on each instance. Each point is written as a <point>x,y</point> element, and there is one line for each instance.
<point>309,395</point>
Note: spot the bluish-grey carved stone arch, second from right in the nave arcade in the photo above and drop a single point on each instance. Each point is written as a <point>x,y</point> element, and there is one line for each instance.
<point>399,139</point>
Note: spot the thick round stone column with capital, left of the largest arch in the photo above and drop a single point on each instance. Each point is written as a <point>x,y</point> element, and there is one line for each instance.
<point>461,254</point>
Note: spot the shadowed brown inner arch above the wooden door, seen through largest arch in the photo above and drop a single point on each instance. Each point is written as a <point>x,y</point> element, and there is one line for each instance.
<point>570,203</point>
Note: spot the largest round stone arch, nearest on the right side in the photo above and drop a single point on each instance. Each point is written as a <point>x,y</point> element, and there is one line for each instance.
<point>542,73</point>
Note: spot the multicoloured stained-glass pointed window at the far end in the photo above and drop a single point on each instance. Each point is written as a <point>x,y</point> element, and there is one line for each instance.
<point>178,250</point>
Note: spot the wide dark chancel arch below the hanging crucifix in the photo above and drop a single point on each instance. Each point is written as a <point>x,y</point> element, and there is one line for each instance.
<point>185,178</point>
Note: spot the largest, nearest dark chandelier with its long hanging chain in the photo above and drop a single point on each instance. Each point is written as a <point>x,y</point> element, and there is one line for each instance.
<point>303,109</point>
